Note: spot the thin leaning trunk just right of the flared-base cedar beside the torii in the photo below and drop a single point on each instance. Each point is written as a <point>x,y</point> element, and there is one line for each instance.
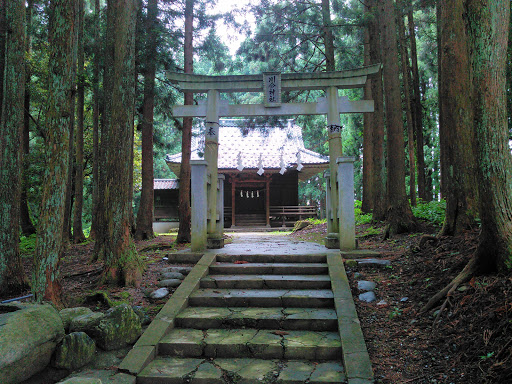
<point>417,110</point>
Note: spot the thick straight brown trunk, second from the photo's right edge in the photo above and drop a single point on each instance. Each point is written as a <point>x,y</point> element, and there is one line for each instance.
<point>455,118</point>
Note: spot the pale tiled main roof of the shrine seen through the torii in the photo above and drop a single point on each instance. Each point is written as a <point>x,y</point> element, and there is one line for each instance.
<point>264,147</point>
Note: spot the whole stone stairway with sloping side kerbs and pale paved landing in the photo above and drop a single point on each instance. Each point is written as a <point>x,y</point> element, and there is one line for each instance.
<point>264,309</point>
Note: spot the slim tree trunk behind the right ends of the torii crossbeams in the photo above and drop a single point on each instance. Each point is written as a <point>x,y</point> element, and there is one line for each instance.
<point>367,201</point>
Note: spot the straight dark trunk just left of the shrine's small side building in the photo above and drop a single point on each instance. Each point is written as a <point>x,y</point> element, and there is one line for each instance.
<point>145,212</point>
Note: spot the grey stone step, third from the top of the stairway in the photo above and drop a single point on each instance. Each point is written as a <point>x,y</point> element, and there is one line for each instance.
<point>267,281</point>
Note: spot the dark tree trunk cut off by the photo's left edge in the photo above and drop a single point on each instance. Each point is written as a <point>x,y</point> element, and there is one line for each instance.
<point>12,276</point>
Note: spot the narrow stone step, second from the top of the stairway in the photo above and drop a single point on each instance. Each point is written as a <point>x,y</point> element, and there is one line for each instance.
<point>269,268</point>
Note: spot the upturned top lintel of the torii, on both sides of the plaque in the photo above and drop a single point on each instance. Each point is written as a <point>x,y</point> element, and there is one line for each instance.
<point>353,78</point>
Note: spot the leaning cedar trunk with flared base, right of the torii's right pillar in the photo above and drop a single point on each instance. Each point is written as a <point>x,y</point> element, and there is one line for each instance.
<point>399,214</point>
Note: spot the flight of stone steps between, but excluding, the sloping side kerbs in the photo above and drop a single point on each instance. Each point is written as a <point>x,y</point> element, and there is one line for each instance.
<point>254,319</point>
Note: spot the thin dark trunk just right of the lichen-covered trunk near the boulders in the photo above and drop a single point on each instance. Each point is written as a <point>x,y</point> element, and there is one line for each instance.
<point>78,233</point>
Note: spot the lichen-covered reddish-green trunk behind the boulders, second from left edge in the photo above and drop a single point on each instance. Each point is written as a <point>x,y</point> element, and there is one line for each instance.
<point>62,26</point>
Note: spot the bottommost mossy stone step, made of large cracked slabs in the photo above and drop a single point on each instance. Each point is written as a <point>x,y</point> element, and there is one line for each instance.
<point>172,370</point>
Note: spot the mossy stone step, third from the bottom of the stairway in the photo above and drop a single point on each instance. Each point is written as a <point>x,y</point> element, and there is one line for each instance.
<point>314,319</point>
